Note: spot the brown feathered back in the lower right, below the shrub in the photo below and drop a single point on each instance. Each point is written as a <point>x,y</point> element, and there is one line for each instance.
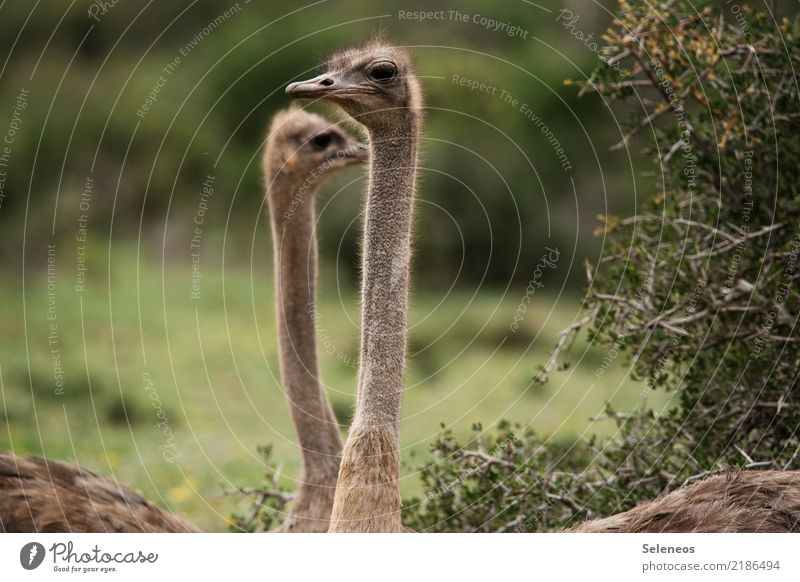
<point>736,502</point>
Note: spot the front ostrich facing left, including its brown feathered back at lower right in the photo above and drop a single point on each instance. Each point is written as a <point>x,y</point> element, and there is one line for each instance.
<point>376,85</point>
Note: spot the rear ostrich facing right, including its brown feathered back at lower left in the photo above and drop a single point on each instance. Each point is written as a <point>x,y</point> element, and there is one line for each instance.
<point>37,495</point>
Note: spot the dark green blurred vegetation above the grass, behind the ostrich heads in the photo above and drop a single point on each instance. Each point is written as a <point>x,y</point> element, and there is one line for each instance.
<point>88,78</point>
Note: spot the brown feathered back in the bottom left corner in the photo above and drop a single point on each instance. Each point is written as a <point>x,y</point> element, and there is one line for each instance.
<point>54,497</point>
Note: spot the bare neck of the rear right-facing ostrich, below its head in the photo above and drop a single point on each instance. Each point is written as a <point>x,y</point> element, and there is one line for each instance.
<point>295,262</point>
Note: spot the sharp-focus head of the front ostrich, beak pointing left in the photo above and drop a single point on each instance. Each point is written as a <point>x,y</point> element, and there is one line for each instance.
<point>375,84</point>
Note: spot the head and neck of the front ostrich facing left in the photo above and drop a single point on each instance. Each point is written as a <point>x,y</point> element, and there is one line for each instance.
<point>376,86</point>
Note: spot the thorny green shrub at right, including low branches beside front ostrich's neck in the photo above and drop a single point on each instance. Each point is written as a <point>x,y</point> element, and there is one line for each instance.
<point>699,290</point>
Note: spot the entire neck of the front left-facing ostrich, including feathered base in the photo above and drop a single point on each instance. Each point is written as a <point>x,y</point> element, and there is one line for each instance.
<point>367,492</point>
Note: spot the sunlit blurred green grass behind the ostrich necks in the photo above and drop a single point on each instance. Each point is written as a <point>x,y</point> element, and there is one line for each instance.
<point>214,372</point>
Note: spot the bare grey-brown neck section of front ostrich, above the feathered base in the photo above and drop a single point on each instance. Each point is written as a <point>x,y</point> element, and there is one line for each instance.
<point>387,251</point>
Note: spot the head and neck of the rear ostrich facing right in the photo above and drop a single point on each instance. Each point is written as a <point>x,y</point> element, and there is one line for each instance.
<point>302,149</point>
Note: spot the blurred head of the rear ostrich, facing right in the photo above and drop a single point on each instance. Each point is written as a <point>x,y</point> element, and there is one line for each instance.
<point>302,144</point>
